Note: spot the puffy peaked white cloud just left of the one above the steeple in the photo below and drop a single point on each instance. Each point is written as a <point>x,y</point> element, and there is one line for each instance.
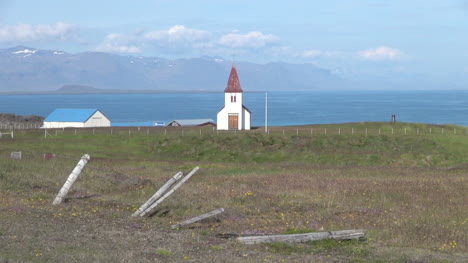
<point>179,34</point>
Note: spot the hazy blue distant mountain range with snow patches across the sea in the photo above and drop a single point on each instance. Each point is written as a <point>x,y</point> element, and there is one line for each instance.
<point>26,69</point>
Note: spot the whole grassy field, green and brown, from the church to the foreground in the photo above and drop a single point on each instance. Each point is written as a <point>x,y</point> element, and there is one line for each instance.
<point>405,184</point>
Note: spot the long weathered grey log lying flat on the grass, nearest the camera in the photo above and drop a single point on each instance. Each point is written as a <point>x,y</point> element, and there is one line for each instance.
<point>297,238</point>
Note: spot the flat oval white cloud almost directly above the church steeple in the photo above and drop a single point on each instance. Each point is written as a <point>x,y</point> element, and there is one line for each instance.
<point>250,40</point>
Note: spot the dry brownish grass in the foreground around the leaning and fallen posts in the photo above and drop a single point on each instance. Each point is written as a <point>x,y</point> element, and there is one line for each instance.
<point>411,213</point>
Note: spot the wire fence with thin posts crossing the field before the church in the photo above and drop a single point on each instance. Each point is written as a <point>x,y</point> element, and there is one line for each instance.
<point>212,131</point>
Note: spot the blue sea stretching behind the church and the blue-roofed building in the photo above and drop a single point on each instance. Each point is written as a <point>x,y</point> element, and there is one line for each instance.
<point>284,108</point>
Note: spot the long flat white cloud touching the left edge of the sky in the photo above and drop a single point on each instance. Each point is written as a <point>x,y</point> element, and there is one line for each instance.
<point>28,32</point>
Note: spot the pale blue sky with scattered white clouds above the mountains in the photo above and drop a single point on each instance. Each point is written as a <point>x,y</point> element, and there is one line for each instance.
<point>421,42</point>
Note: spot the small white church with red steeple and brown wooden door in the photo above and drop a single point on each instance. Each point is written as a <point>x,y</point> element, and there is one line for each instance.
<point>234,115</point>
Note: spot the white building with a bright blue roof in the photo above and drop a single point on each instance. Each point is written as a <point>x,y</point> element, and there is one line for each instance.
<point>76,118</point>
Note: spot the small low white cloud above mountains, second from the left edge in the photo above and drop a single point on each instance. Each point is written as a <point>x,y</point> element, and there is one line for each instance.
<point>118,43</point>
